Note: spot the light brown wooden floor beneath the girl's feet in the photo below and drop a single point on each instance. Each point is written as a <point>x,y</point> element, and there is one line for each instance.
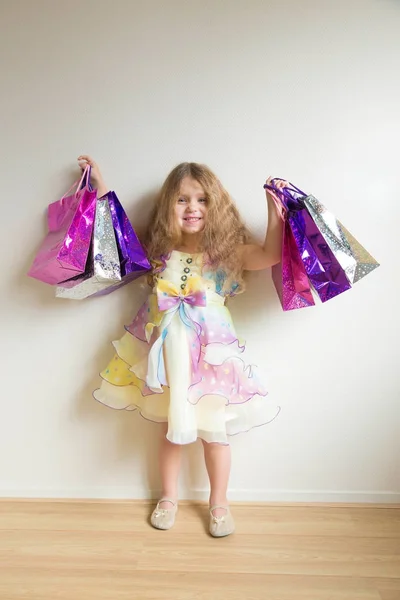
<point>108,551</point>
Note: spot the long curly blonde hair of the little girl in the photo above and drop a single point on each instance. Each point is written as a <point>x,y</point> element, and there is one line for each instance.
<point>224,229</point>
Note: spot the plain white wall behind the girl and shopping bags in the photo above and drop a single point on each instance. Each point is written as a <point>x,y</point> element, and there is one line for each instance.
<point>305,90</point>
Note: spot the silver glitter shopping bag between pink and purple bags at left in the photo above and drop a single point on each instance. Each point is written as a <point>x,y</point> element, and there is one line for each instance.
<point>103,267</point>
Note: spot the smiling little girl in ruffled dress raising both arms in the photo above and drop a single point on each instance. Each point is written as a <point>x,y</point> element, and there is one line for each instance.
<point>180,362</point>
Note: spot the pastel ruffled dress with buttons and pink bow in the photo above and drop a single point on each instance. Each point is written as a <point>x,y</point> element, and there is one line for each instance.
<point>180,360</point>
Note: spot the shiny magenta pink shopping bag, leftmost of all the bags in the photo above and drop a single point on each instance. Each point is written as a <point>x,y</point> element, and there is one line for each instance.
<point>64,251</point>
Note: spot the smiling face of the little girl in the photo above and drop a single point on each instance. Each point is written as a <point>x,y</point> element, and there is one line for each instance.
<point>191,207</point>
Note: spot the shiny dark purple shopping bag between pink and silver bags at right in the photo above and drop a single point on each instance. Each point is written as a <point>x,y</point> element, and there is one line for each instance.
<point>323,270</point>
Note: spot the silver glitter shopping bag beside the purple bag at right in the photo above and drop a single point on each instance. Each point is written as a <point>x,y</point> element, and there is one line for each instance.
<point>352,257</point>
